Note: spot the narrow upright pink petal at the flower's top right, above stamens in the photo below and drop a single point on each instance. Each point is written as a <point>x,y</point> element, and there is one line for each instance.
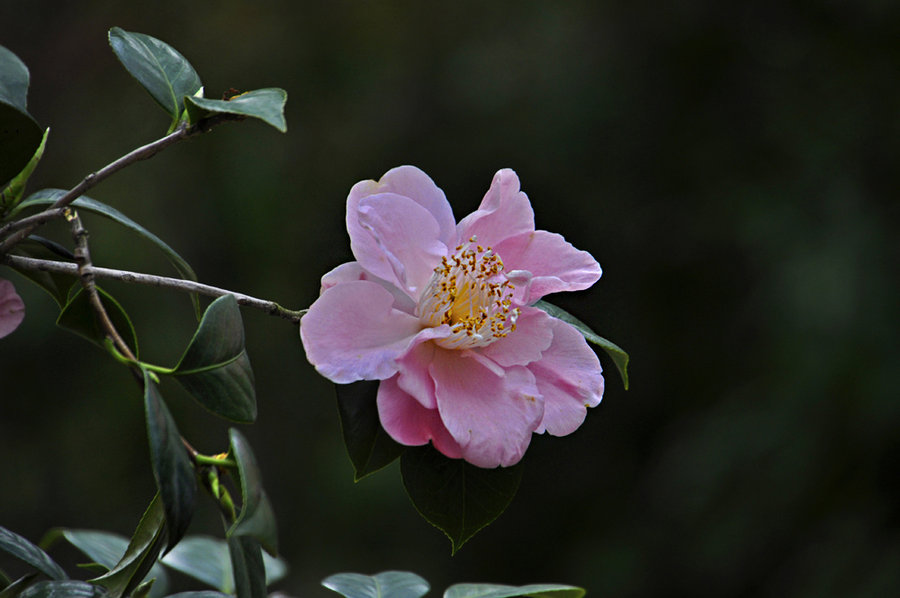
<point>504,212</point>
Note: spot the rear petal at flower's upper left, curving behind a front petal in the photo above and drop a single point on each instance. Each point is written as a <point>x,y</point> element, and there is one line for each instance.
<point>409,182</point>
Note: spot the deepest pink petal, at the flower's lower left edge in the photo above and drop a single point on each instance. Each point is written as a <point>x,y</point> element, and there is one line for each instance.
<point>409,423</point>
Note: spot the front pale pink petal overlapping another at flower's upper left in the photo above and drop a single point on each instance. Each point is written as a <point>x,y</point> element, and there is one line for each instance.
<point>407,238</point>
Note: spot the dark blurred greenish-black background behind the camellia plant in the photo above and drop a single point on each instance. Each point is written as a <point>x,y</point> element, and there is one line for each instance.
<point>733,167</point>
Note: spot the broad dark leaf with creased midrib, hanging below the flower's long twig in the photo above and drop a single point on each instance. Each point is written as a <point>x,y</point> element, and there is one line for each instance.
<point>215,368</point>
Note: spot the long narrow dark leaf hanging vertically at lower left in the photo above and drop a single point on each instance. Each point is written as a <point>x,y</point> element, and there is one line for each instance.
<point>171,464</point>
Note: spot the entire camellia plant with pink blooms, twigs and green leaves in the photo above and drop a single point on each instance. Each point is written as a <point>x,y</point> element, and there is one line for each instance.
<point>444,353</point>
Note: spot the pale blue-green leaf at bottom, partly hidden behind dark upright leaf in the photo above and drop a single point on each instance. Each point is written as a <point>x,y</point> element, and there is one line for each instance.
<point>207,559</point>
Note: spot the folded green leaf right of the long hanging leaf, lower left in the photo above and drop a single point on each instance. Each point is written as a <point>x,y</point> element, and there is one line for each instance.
<point>256,518</point>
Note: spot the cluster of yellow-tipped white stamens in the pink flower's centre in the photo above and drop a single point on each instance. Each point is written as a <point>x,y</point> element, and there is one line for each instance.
<point>470,293</point>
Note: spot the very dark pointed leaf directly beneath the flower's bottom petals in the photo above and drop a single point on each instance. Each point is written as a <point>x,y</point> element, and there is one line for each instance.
<point>455,496</point>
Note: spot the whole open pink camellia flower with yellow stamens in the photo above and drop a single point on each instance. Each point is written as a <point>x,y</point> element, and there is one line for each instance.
<point>439,312</point>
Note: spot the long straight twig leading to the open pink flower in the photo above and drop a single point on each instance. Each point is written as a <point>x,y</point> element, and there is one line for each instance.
<point>270,307</point>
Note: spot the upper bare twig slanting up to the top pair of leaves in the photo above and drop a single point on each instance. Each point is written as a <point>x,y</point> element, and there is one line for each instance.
<point>141,153</point>
